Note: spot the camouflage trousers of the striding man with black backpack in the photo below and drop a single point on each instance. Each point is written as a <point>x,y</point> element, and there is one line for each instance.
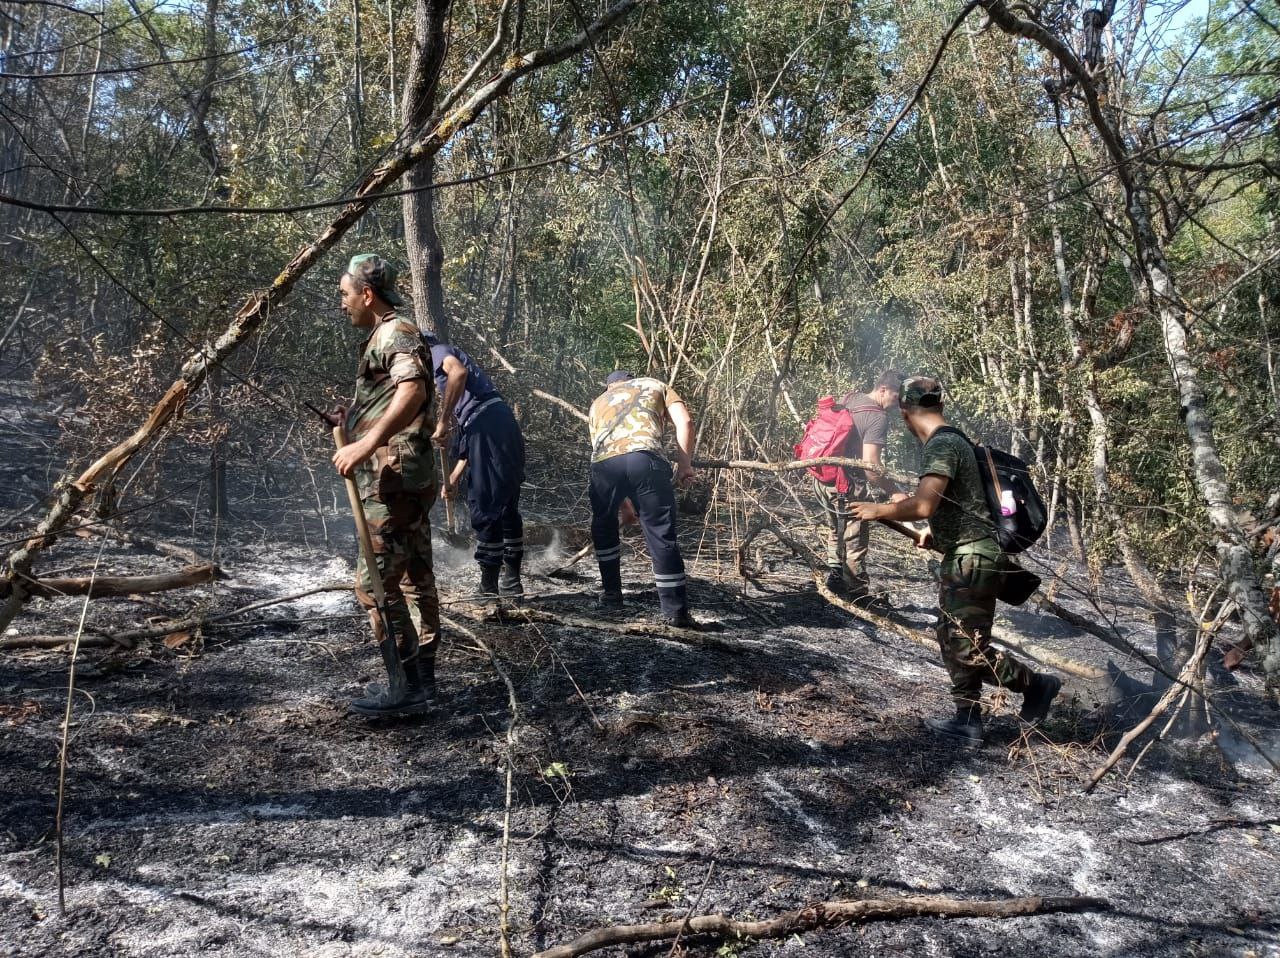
<point>967,609</point>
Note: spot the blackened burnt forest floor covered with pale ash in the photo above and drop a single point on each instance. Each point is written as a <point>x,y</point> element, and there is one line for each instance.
<point>222,801</point>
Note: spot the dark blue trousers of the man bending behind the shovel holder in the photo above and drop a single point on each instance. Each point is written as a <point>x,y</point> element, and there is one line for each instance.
<point>496,460</point>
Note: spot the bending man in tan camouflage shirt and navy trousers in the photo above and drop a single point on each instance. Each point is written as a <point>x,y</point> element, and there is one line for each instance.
<point>627,425</point>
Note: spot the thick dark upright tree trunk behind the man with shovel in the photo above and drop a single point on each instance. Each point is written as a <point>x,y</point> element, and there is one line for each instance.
<point>422,239</point>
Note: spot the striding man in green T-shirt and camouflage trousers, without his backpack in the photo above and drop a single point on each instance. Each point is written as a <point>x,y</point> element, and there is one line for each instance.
<point>950,495</point>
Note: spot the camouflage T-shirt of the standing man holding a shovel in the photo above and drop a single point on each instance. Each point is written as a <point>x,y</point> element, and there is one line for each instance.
<point>394,354</point>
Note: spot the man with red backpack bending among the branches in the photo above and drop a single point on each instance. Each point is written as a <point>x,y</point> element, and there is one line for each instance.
<point>856,428</point>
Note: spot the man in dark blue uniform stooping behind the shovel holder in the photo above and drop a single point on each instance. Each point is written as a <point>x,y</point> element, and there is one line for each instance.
<point>492,446</point>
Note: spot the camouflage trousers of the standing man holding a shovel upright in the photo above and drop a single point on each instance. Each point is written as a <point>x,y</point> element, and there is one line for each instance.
<point>403,549</point>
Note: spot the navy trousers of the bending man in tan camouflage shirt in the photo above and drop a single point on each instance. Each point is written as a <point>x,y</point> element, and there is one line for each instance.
<point>646,480</point>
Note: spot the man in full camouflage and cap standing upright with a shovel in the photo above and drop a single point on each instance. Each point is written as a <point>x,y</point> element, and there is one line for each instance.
<point>390,457</point>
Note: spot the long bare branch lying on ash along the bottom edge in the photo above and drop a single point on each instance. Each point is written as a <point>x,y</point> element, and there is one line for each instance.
<point>821,915</point>
